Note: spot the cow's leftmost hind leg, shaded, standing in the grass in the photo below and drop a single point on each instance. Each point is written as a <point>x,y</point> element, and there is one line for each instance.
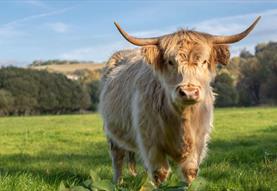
<point>117,155</point>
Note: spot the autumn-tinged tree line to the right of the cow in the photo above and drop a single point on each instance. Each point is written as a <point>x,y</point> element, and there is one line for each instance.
<point>249,79</point>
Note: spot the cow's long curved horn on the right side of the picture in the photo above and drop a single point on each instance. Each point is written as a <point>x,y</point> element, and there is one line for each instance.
<point>236,37</point>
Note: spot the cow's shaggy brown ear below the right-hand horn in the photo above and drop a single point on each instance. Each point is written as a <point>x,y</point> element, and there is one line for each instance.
<point>221,54</point>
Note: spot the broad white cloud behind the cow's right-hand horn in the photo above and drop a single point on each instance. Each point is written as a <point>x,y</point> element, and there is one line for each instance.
<point>264,31</point>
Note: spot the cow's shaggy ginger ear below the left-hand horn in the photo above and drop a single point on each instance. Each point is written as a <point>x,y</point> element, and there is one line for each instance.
<point>153,56</point>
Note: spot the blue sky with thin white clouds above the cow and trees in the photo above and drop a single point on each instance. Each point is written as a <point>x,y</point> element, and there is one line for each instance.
<point>83,30</point>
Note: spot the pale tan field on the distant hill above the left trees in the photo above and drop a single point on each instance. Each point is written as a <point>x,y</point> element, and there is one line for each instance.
<point>68,68</point>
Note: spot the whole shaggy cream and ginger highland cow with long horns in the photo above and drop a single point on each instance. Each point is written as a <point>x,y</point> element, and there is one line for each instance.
<point>157,100</point>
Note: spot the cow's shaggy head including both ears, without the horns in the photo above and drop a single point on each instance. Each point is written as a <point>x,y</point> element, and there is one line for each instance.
<point>185,67</point>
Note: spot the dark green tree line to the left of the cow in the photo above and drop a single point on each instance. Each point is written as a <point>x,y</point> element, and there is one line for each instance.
<point>27,92</point>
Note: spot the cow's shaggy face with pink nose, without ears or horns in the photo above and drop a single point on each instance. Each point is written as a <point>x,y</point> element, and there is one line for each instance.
<point>186,73</point>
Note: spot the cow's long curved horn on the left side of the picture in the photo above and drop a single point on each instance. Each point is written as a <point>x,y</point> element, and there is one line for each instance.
<point>137,41</point>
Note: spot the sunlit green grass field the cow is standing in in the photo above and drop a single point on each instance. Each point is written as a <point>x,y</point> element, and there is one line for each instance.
<point>38,153</point>
